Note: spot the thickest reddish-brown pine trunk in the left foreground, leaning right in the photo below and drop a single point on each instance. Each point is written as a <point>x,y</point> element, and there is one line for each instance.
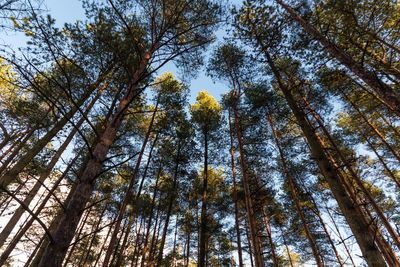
<point>57,249</point>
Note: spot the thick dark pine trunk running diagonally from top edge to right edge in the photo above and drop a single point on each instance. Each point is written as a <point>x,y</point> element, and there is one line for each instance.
<point>384,91</point>
